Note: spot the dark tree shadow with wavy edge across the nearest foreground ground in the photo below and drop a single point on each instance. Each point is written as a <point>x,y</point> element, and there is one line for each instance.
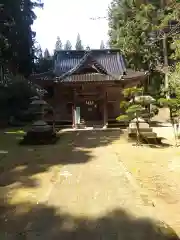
<point>47,223</point>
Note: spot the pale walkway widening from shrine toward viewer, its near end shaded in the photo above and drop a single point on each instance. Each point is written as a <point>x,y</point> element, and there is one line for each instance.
<point>97,200</point>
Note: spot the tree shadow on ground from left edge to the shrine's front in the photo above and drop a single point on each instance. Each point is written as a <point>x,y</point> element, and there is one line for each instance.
<point>21,163</point>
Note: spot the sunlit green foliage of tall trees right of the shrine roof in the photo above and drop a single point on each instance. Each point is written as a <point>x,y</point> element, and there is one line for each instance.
<point>137,29</point>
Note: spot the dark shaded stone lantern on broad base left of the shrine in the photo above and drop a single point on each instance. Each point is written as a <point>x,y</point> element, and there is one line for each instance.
<point>40,132</point>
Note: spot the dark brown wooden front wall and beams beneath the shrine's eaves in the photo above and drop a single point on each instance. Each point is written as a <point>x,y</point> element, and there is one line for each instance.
<point>63,99</point>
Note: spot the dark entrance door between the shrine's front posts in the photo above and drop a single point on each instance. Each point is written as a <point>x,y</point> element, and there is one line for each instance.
<point>90,111</point>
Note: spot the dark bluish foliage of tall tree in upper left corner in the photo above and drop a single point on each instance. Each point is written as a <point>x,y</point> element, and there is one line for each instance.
<point>17,38</point>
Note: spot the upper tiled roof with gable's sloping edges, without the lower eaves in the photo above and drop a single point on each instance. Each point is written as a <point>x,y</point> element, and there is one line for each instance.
<point>106,61</point>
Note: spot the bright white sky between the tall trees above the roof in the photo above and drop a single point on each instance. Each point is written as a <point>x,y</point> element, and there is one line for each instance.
<point>67,18</point>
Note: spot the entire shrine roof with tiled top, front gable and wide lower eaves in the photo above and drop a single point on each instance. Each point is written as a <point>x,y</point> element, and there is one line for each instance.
<point>94,65</point>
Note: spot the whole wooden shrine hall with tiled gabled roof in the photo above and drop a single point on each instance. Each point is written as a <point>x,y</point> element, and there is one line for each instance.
<point>85,87</point>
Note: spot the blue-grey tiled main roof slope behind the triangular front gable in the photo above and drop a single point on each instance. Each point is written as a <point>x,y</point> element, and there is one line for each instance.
<point>111,60</point>
